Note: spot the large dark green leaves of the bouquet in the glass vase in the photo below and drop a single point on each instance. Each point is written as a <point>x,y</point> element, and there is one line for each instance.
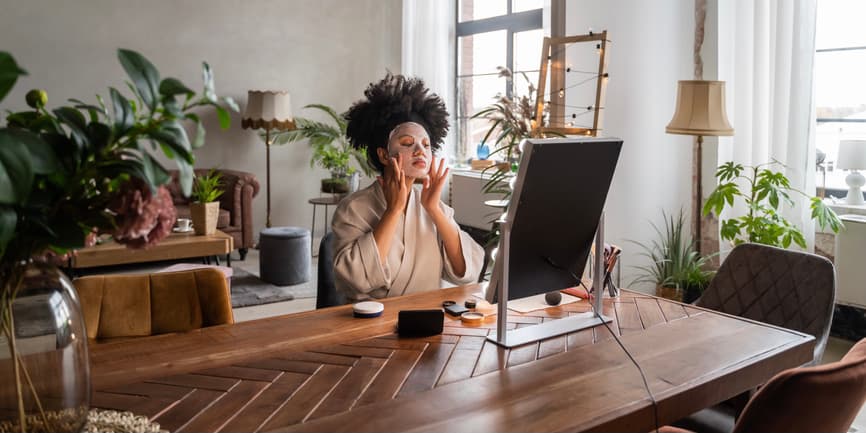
<point>61,168</point>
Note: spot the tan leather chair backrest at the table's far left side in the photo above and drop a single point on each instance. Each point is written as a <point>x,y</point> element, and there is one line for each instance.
<point>149,304</point>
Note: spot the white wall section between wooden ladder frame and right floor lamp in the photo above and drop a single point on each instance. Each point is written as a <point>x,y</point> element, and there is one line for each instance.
<point>651,48</point>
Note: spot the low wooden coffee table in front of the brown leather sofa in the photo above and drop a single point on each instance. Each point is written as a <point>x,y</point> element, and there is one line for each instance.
<point>175,246</point>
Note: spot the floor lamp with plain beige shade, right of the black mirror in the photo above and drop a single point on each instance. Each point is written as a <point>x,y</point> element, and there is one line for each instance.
<point>700,111</point>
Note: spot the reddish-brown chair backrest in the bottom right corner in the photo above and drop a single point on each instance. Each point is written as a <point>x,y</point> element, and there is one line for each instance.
<point>822,398</point>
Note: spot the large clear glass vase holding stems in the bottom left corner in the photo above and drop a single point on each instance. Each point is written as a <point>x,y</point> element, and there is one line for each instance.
<point>49,386</point>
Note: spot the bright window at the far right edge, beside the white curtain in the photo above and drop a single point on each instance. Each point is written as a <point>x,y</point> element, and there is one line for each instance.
<point>840,93</point>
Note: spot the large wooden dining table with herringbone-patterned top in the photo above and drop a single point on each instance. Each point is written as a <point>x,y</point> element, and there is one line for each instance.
<point>326,371</point>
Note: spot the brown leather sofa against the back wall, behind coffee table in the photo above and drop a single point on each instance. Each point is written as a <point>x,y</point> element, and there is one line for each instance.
<point>236,205</point>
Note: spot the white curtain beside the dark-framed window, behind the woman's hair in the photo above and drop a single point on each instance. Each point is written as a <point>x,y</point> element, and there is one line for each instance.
<point>429,51</point>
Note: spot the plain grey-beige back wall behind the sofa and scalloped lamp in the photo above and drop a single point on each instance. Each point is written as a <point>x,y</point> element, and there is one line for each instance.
<point>322,51</point>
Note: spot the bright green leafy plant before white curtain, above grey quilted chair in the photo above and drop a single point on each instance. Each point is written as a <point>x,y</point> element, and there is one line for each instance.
<point>767,191</point>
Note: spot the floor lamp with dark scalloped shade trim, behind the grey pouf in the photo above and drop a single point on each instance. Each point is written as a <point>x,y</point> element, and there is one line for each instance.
<point>268,110</point>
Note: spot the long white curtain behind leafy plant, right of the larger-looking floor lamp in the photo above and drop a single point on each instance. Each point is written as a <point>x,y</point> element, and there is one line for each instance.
<point>766,54</point>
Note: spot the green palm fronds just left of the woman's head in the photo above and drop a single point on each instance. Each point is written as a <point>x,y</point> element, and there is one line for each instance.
<point>331,148</point>
